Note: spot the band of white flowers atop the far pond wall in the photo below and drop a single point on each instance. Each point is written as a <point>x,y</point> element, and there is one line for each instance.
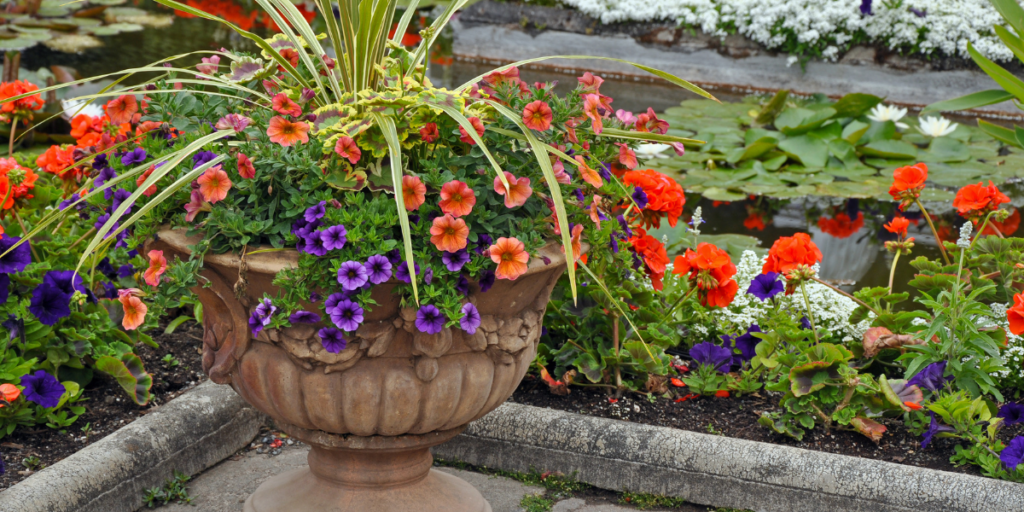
<point>923,26</point>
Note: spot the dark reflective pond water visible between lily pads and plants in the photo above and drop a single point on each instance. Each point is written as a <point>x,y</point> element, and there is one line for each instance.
<point>848,232</point>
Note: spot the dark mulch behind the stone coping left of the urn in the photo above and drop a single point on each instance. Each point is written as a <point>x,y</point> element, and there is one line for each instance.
<point>108,407</point>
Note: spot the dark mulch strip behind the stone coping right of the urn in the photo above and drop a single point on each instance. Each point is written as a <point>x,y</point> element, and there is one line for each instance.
<point>735,417</point>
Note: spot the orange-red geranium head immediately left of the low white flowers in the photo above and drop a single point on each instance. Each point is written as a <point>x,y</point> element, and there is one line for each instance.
<point>711,271</point>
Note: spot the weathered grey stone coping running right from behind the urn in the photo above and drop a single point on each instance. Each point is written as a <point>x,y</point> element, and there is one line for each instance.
<point>716,471</point>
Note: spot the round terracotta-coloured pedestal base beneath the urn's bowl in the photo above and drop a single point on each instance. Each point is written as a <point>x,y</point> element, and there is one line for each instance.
<point>367,475</point>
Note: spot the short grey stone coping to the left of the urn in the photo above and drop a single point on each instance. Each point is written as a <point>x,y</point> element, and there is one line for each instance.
<point>193,433</point>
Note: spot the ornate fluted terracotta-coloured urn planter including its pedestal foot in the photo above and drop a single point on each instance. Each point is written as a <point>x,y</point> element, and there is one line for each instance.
<point>372,412</point>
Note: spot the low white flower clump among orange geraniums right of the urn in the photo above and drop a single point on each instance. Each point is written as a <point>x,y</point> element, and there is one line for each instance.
<point>831,309</point>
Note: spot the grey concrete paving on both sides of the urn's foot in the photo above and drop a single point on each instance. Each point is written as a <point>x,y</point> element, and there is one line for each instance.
<point>226,487</point>
